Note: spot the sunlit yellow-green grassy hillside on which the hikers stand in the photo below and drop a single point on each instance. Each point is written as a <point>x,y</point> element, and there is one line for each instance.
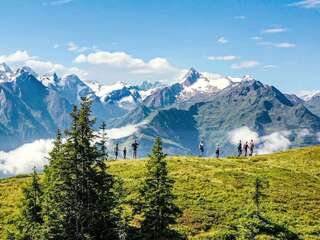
<point>215,194</point>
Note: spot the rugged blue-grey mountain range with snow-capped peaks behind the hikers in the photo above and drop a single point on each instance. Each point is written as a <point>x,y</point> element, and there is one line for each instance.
<point>196,106</point>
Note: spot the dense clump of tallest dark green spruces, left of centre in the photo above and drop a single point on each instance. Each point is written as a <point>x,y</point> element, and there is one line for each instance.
<point>77,178</point>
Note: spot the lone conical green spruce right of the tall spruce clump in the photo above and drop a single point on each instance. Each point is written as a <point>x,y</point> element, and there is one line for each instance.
<point>156,203</point>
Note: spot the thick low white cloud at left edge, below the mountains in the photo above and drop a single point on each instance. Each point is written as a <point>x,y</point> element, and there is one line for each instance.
<point>25,157</point>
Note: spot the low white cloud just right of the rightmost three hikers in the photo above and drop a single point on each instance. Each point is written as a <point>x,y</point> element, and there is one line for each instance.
<point>275,142</point>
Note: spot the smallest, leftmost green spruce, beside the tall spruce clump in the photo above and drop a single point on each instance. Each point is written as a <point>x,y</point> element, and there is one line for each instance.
<point>29,220</point>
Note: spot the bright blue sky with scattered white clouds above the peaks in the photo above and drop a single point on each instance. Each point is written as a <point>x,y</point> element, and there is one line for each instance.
<point>277,42</point>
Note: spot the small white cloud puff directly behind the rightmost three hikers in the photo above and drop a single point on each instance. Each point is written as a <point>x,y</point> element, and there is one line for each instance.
<point>242,134</point>
